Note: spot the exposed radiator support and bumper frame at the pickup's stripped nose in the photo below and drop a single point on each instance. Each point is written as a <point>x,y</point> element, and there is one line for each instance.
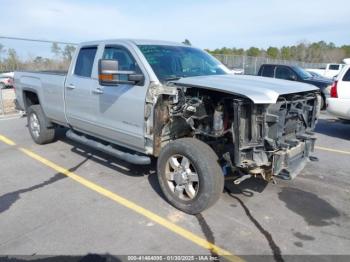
<point>275,139</point>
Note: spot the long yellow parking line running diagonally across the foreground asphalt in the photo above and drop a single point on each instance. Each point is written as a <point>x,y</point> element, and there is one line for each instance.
<point>129,204</point>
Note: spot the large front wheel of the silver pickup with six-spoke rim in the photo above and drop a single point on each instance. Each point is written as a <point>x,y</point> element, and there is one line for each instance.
<point>204,189</point>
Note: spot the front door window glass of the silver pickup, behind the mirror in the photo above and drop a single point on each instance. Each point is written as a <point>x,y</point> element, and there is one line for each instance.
<point>125,60</point>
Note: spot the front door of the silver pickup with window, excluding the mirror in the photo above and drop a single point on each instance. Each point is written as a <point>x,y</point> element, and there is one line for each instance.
<point>118,110</point>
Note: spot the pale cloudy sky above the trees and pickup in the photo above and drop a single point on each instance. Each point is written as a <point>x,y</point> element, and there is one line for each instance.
<point>207,24</point>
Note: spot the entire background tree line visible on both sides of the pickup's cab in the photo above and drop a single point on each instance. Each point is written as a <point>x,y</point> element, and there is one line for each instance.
<point>317,52</point>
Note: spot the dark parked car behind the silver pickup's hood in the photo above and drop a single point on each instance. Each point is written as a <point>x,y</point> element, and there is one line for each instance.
<point>296,73</point>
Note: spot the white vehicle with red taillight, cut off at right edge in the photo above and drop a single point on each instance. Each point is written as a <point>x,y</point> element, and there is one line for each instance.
<point>338,104</point>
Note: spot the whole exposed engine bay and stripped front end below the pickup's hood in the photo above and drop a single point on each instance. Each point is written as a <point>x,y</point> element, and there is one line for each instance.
<point>250,139</point>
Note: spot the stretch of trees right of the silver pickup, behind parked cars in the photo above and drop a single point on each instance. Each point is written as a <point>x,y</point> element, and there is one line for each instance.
<point>316,52</point>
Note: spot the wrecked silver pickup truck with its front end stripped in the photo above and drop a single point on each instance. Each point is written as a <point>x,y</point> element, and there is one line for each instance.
<point>141,99</point>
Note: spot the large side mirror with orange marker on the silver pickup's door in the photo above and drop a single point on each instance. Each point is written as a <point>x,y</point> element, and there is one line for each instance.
<point>109,74</point>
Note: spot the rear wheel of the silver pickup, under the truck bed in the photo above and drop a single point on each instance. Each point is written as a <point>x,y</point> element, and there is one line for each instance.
<point>37,125</point>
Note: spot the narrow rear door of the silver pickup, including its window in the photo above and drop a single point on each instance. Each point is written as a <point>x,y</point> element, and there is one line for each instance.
<point>78,87</point>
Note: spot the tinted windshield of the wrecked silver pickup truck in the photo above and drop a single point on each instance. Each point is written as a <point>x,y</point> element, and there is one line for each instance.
<point>173,62</point>
